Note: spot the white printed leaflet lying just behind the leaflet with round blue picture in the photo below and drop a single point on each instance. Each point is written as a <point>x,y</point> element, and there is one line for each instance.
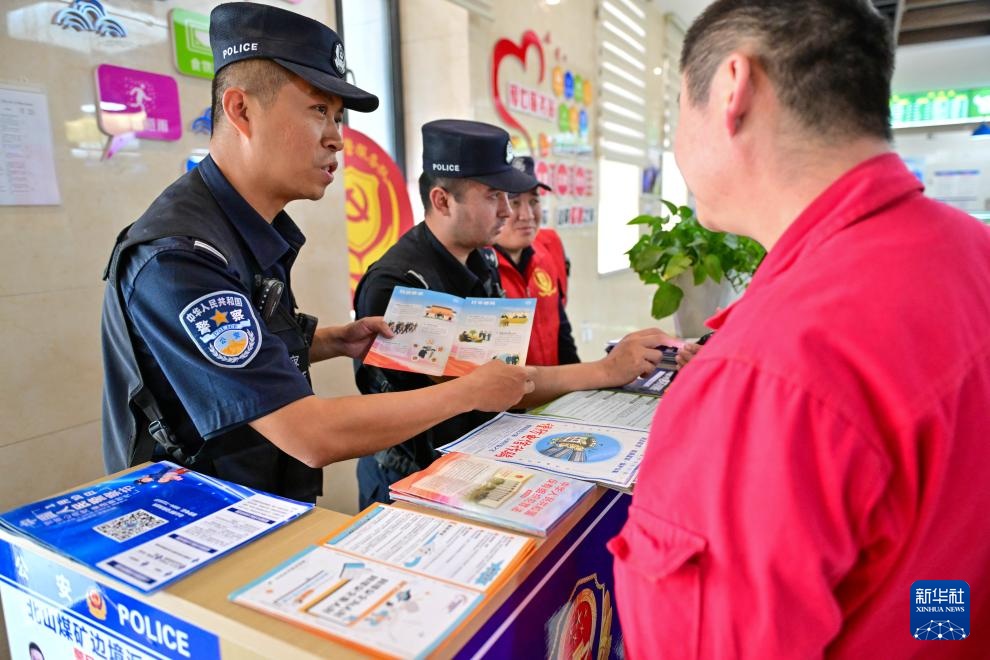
<point>610,407</point>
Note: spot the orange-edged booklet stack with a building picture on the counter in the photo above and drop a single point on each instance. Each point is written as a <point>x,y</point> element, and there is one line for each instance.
<point>479,488</point>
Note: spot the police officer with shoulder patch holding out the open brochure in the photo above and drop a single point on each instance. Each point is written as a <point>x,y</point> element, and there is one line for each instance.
<point>206,356</point>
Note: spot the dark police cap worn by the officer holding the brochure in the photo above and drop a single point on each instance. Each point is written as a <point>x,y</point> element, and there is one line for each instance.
<point>308,48</point>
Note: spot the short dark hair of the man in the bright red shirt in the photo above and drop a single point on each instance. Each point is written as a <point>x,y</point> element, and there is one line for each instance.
<point>830,61</point>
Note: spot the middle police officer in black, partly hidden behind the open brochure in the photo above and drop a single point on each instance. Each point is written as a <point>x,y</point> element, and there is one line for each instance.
<point>467,172</point>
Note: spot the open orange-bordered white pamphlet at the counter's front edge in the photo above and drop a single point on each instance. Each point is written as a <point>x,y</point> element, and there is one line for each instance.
<point>392,582</point>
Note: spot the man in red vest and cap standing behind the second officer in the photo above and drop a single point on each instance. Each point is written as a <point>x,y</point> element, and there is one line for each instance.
<point>531,264</point>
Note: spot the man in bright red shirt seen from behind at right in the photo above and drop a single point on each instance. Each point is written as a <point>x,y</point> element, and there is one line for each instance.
<point>829,447</point>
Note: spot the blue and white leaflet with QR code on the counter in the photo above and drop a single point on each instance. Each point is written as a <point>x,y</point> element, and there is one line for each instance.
<point>152,526</point>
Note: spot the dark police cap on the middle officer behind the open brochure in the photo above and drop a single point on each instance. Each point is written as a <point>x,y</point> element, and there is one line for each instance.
<point>461,149</point>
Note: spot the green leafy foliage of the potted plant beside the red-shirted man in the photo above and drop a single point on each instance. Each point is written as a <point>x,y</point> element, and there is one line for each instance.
<point>678,247</point>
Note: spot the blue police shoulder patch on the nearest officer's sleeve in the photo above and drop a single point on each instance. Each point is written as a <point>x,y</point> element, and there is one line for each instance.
<point>224,328</point>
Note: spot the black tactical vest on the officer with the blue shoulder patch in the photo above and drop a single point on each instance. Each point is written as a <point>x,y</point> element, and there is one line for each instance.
<point>132,421</point>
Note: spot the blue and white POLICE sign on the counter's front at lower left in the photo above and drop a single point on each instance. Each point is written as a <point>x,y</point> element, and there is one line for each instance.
<point>53,612</point>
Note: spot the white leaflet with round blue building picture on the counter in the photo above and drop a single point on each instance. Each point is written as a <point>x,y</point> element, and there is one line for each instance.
<point>608,455</point>
